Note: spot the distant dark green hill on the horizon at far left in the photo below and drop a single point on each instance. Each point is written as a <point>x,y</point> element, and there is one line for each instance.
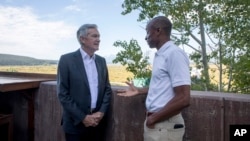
<point>7,59</point>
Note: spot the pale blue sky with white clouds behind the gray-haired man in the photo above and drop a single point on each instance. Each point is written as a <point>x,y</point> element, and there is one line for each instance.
<point>46,29</point>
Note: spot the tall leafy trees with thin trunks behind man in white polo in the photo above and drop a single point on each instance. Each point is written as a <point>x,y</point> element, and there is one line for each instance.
<point>212,24</point>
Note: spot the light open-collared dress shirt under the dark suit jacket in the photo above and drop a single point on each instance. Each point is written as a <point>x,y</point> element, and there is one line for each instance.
<point>90,68</point>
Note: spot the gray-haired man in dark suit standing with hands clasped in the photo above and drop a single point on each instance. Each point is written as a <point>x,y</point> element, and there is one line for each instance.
<point>83,88</point>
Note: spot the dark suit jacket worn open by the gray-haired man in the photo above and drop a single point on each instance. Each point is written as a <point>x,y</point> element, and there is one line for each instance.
<point>74,92</point>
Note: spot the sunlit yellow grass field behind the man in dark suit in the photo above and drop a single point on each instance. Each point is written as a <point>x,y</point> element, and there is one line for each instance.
<point>117,74</point>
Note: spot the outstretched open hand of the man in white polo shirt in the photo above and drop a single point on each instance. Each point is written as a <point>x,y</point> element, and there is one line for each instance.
<point>131,91</point>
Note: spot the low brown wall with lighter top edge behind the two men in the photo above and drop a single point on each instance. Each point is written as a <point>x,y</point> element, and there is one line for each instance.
<point>207,119</point>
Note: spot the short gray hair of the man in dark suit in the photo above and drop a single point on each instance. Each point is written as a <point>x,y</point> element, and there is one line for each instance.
<point>83,31</point>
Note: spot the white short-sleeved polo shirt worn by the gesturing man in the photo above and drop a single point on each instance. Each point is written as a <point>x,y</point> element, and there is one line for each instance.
<point>170,69</point>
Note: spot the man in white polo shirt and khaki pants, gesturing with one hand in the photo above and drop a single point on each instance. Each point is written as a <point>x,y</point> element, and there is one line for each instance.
<point>169,89</point>
